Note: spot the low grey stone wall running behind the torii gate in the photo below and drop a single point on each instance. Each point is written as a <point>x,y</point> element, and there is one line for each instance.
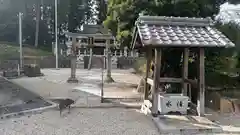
<point>64,62</point>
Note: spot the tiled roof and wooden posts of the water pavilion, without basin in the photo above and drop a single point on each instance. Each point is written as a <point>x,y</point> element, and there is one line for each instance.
<point>158,32</point>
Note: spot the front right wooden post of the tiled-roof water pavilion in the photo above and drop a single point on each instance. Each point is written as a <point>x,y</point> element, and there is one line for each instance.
<point>201,84</point>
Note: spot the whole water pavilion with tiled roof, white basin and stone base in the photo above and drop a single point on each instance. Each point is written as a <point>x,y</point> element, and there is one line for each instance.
<point>155,33</point>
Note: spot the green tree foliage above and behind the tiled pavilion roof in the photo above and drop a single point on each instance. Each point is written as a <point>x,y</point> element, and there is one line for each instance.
<point>122,14</point>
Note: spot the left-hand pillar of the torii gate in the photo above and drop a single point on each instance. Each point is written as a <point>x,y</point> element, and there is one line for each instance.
<point>73,78</point>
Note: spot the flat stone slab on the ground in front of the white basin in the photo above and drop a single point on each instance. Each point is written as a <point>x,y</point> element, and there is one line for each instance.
<point>176,124</point>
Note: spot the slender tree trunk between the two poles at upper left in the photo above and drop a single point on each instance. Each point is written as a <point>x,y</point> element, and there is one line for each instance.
<point>37,23</point>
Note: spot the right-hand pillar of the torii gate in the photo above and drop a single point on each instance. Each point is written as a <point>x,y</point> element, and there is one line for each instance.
<point>109,78</point>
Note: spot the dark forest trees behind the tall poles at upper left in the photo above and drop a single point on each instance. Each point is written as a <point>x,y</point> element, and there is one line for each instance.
<point>71,15</point>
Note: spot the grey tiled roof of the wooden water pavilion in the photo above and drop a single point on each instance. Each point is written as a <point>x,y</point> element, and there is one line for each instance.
<point>178,32</point>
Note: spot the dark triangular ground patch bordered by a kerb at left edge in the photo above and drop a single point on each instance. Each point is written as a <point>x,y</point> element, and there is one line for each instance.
<point>15,99</point>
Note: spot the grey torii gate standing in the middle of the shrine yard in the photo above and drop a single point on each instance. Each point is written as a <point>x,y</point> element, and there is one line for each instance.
<point>91,34</point>
